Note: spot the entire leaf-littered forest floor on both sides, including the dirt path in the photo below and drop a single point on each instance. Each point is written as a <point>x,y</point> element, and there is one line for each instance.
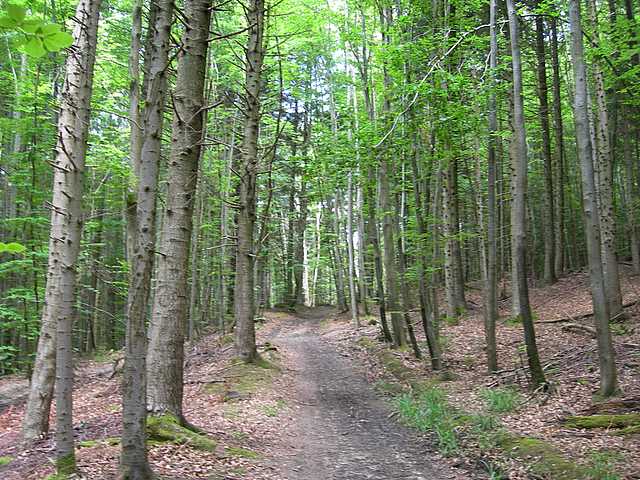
<point>325,403</point>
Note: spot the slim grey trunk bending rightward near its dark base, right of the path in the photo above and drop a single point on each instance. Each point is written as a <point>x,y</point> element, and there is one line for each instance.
<point>519,203</point>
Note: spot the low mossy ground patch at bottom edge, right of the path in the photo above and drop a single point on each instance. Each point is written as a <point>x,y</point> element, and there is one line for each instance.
<point>543,458</point>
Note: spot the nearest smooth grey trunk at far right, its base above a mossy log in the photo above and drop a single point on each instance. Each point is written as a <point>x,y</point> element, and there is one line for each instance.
<point>606,353</point>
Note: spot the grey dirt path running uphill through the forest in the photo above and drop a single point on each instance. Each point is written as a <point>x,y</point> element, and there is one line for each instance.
<point>342,429</point>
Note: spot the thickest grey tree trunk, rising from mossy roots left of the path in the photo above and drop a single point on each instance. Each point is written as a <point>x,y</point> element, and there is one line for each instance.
<point>170,302</point>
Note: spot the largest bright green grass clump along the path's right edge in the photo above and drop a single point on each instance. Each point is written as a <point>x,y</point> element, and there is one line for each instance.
<point>430,411</point>
